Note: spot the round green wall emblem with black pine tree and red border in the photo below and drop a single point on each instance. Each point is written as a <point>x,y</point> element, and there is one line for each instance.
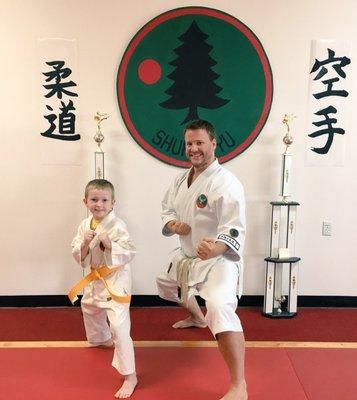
<point>194,63</point>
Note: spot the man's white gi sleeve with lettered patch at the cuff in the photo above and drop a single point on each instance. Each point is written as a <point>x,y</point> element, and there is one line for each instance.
<point>229,205</point>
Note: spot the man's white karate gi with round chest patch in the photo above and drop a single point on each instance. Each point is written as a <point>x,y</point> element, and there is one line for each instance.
<point>214,207</point>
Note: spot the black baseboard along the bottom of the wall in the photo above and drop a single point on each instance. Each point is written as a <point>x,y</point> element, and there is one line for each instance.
<point>155,301</point>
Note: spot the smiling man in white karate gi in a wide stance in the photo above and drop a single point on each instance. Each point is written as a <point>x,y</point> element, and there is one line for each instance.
<point>205,206</point>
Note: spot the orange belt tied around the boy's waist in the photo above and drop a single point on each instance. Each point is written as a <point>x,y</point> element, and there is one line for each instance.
<point>97,274</point>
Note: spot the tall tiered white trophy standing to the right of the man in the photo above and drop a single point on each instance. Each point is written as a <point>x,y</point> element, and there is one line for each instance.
<point>282,265</point>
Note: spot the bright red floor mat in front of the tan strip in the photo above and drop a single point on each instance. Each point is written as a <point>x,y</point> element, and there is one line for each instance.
<point>177,374</point>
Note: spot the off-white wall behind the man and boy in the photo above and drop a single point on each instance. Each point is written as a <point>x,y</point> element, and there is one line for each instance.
<point>42,205</point>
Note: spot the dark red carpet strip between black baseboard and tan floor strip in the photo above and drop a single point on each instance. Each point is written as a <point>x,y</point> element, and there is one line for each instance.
<point>329,325</point>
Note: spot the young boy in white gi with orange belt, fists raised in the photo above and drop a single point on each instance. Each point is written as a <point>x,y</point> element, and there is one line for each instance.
<point>103,241</point>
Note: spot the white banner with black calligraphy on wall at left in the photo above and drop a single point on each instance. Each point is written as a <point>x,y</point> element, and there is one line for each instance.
<point>59,101</point>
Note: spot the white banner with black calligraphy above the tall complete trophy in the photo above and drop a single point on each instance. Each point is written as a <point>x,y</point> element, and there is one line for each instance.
<point>329,104</point>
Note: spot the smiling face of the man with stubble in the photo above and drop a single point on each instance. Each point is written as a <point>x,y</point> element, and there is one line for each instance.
<point>200,148</point>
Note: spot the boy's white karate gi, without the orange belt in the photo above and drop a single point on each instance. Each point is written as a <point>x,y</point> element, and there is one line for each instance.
<point>96,303</point>
